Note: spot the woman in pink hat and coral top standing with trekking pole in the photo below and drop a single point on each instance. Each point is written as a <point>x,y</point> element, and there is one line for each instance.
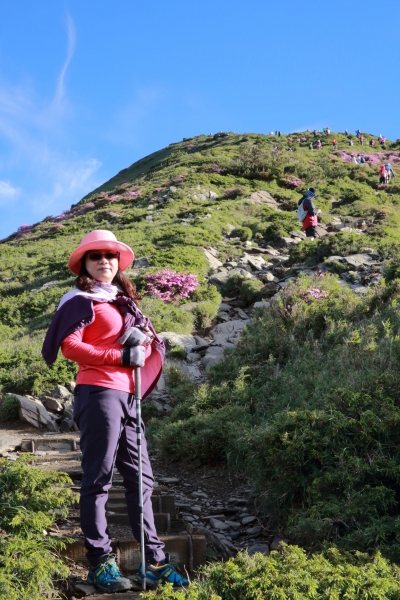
<point>99,326</point>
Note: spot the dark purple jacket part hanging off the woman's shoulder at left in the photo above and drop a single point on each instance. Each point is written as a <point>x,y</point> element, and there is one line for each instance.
<point>73,315</point>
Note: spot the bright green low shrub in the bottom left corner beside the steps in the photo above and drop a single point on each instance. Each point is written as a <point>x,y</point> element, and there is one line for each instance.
<point>29,560</point>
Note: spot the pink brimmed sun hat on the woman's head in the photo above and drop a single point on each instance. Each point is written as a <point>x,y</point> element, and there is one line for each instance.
<point>100,239</point>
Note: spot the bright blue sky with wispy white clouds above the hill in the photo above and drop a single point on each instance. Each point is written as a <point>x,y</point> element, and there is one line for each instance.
<point>89,87</point>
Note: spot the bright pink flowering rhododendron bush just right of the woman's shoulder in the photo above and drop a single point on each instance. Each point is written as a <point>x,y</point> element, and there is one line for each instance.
<point>171,286</point>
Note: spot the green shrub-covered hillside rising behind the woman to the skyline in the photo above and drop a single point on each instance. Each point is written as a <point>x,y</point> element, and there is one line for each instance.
<point>308,402</point>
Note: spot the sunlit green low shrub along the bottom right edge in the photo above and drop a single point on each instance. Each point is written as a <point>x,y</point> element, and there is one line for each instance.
<point>290,574</point>
